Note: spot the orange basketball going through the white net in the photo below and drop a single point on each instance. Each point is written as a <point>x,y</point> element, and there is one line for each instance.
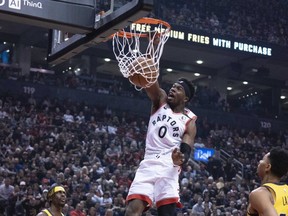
<point>144,72</point>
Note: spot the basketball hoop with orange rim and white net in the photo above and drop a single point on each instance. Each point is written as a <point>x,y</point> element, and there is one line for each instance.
<point>127,49</point>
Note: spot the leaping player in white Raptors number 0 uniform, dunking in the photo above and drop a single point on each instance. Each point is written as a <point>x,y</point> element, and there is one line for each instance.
<point>169,140</point>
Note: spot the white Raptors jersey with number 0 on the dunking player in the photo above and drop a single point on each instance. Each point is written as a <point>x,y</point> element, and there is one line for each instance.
<point>166,129</point>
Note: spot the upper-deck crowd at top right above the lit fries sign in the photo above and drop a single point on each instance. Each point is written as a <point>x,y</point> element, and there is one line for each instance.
<point>253,20</point>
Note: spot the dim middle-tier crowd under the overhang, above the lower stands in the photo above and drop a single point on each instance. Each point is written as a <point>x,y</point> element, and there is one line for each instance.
<point>205,97</point>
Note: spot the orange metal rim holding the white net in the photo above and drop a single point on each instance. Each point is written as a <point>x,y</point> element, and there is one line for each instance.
<point>144,20</point>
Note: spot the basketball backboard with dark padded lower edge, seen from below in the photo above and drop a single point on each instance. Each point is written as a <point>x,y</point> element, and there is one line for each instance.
<point>108,20</point>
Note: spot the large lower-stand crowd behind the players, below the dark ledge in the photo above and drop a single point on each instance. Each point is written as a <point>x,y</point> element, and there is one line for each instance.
<point>94,152</point>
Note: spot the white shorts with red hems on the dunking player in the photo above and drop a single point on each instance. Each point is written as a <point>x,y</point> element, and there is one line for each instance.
<point>156,181</point>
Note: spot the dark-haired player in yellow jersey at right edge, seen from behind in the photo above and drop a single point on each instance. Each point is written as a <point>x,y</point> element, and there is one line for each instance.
<point>271,198</point>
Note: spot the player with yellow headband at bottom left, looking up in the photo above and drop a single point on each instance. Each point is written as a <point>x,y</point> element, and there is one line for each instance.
<point>56,197</point>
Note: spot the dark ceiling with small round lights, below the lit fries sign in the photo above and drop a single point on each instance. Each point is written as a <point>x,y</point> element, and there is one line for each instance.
<point>261,72</point>
